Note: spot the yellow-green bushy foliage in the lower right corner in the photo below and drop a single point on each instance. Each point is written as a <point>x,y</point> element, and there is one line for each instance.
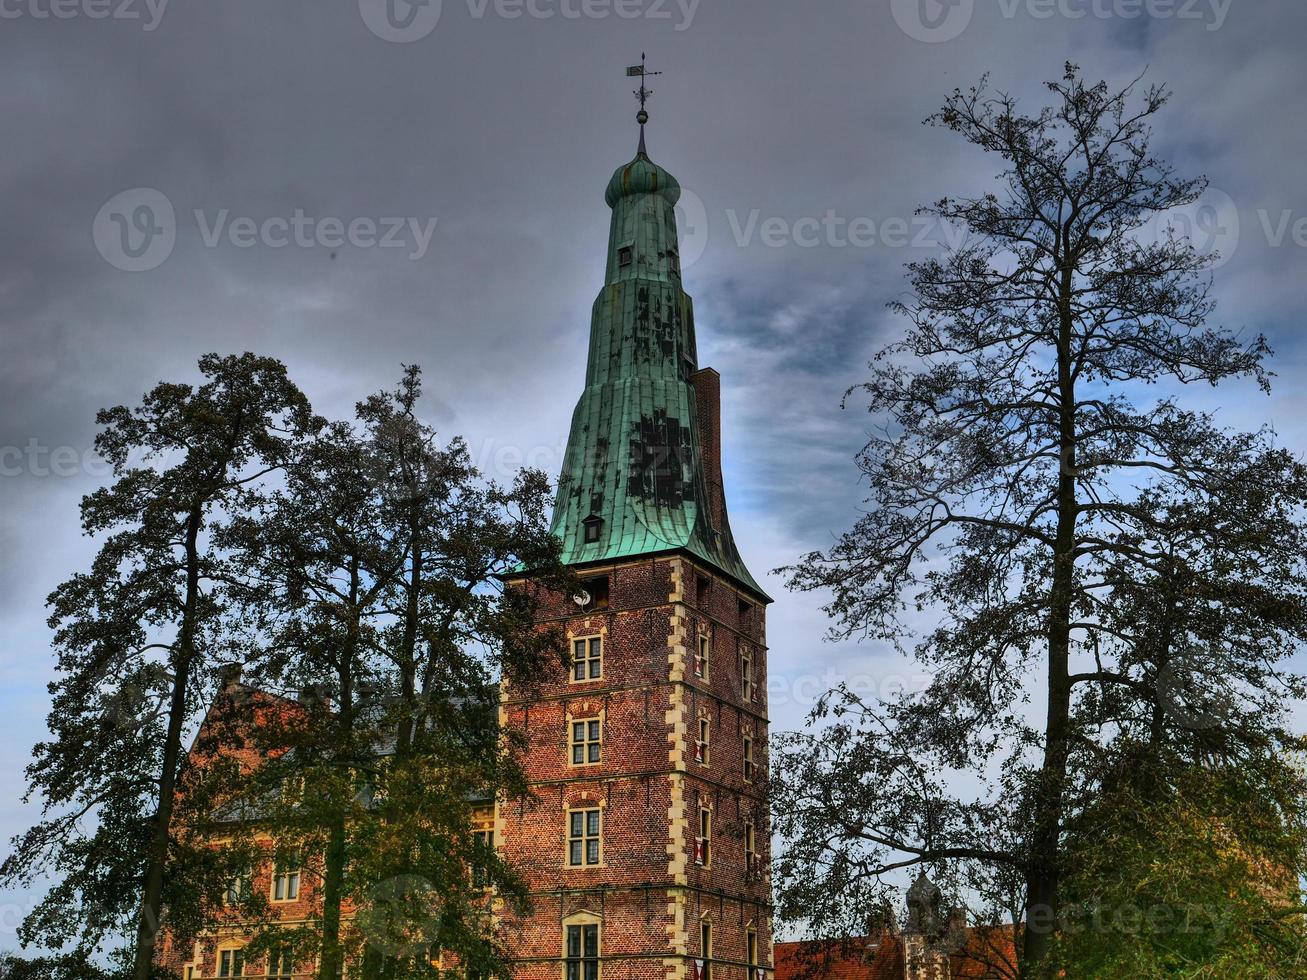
<point>1181,870</point>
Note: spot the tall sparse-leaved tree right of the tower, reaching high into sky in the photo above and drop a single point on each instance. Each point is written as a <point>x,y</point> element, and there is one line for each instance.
<point>1028,482</point>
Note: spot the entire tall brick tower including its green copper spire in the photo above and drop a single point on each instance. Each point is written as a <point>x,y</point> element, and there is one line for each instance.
<point>646,845</point>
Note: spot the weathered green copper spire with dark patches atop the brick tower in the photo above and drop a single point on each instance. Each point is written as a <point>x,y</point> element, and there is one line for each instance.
<point>642,472</point>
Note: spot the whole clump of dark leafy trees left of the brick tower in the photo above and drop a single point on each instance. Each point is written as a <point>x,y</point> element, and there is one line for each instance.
<point>355,576</point>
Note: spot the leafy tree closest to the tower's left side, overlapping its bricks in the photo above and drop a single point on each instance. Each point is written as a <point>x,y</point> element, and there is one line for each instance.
<point>457,634</point>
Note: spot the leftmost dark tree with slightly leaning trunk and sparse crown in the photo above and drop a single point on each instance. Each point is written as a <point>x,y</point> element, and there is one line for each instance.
<point>139,637</point>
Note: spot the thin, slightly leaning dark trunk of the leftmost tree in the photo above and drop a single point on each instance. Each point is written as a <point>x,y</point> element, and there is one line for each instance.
<point>152,894</point>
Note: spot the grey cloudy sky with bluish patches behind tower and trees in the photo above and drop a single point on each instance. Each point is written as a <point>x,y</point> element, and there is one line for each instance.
<point>351,186</point>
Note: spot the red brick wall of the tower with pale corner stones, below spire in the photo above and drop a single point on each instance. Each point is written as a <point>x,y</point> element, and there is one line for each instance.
<point>649,892</point>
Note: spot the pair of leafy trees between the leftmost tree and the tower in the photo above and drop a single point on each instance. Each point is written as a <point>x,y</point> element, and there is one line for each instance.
<point>374,578</point>
